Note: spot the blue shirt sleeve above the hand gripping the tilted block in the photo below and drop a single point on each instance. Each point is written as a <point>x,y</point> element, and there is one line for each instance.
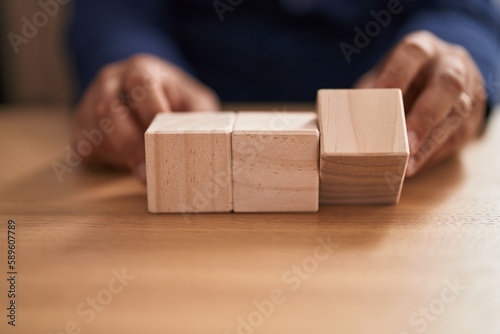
<point>473,24</point>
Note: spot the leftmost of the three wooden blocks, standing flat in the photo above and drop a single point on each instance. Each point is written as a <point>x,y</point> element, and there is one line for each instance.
<point>188,162</point>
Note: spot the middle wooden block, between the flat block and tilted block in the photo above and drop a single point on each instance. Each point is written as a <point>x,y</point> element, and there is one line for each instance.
<point>275,162</point>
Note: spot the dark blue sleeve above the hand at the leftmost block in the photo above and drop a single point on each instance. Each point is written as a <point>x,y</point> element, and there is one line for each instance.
<point>105,31</point>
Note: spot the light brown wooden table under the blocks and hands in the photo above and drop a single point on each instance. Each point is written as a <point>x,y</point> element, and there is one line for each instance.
<point>428,265</point>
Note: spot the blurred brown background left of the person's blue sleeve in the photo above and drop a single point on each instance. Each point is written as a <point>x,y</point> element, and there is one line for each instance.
<point>40,72</point>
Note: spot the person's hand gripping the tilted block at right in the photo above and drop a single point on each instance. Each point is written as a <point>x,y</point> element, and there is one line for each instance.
<point>443,91</point>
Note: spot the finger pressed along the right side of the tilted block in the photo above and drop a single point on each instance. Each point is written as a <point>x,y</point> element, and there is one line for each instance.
<point>436,100</point>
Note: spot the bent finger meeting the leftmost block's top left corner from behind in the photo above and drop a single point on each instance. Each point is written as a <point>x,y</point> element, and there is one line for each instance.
<point>146,97</point>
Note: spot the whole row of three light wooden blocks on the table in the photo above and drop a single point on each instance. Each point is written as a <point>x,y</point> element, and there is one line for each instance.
<point>280,162</point>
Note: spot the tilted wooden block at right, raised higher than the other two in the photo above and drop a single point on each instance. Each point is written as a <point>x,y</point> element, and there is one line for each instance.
<point>364,146</point>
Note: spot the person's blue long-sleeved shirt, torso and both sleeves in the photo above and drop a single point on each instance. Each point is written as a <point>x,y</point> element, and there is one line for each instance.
<point>272,50</point>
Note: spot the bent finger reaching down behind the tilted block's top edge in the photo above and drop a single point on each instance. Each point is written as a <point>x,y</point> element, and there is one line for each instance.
<point>406,61</point>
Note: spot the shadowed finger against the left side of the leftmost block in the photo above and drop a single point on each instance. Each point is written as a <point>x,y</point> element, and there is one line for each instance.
<point>127,142</point>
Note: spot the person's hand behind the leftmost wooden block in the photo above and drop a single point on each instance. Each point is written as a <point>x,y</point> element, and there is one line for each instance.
<point>129,94</point>
